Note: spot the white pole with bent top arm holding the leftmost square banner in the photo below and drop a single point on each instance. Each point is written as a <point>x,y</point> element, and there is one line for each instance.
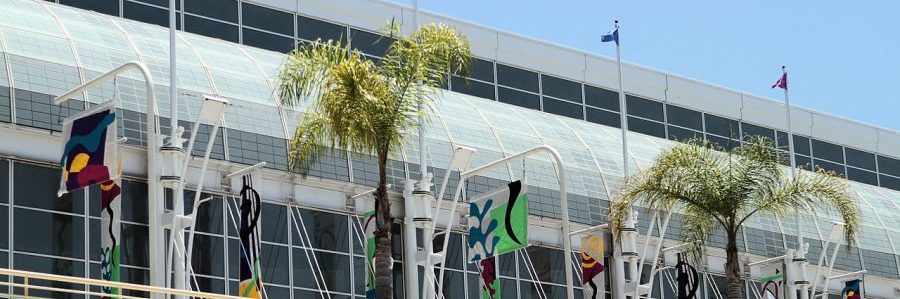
<point>154,200</point>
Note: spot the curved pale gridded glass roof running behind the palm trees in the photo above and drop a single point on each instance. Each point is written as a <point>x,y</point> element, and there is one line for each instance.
<point>50,49</point>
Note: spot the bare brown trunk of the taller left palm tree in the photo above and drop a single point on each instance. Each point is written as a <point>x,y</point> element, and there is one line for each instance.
<point>384,278</point>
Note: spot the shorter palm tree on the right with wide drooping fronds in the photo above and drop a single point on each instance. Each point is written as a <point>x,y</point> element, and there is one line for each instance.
<point>724,188</point>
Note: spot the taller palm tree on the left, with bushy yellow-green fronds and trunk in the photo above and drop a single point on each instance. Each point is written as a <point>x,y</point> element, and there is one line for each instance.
<point>369,108</point>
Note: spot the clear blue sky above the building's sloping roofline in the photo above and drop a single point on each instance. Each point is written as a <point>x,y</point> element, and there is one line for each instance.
<point>843,56</point>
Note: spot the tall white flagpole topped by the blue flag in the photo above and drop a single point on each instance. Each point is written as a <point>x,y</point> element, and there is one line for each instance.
<point>619,285</point>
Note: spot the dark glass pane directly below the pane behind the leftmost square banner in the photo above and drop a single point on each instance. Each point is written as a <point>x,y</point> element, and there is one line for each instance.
<point>48,233</point>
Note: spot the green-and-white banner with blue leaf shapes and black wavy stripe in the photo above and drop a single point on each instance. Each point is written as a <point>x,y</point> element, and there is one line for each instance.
<point>498,222</point>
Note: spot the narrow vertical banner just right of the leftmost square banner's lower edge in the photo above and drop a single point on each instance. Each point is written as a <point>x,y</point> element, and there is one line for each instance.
<point>111,227</point>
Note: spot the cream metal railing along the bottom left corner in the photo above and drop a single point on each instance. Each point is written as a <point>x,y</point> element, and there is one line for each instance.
<point>31,285</point>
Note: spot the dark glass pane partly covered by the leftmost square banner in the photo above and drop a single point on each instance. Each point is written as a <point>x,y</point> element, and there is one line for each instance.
<point>42,185</point>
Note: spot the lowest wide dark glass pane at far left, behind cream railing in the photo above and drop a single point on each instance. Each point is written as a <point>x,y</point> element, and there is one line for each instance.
<point>56,266</point>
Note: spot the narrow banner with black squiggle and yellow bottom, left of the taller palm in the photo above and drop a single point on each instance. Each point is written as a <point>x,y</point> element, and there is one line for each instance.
<point>250,276</point>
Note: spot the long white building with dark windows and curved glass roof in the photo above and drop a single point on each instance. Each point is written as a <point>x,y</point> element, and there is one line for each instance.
<point>515,99</point>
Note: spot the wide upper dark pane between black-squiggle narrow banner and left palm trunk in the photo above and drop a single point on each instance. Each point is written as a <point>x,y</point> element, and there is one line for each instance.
<point>326,230</point>
